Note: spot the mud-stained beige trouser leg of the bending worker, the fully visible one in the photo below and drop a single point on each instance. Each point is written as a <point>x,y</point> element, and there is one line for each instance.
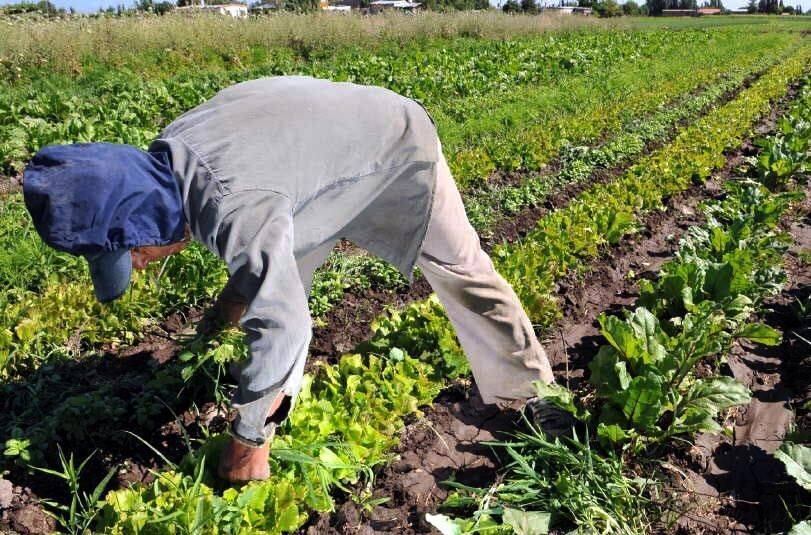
<point>491,324</point>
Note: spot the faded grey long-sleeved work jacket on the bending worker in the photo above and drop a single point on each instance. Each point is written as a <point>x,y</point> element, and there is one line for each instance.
<point>274,169</point>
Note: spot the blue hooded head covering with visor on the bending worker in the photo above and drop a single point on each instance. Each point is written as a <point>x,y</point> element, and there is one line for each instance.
<point>100,200</point>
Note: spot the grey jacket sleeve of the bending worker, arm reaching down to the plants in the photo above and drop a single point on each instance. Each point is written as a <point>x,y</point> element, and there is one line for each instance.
<point>255,238</point>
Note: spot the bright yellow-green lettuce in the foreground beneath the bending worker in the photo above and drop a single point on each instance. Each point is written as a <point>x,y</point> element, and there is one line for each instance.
<point>346,418</point>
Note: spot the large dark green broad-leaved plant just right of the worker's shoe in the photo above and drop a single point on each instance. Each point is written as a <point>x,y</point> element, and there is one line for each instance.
<point>644,378</point>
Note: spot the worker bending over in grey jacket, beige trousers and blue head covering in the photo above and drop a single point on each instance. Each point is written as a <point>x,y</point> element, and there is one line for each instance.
<point>269,175</point>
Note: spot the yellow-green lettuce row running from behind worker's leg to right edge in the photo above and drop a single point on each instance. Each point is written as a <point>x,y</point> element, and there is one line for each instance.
<point>567,239</point>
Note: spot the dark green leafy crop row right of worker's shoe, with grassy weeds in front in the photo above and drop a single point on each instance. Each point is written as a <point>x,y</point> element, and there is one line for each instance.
<point>645,381</point>
